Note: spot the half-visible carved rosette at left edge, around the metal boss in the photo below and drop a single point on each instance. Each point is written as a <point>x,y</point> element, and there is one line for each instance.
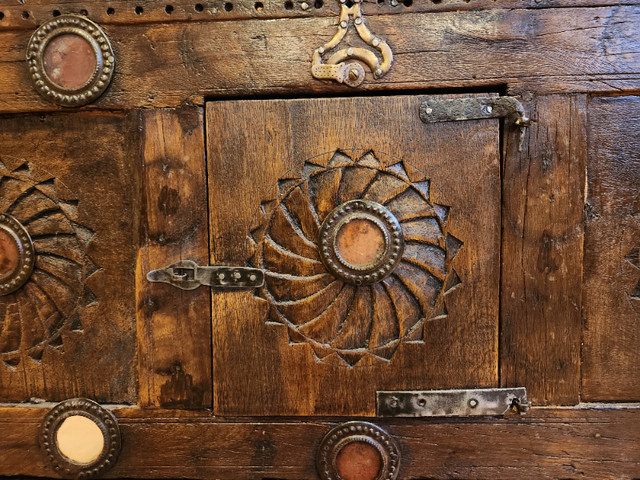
<point>51,302</point>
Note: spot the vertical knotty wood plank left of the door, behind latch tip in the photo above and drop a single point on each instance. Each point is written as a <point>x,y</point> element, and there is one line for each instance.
<point>174,329</point>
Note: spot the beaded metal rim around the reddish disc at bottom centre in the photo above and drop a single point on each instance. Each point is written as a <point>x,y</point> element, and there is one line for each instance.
<point>342,435</point>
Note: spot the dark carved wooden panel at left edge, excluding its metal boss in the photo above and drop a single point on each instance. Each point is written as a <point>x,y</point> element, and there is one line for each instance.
<point>69,331</point>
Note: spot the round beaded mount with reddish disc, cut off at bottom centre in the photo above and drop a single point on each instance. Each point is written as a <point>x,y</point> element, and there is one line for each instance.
<point>375,455</point>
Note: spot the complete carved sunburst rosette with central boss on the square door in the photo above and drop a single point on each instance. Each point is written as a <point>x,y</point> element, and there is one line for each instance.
<point>350,302</point>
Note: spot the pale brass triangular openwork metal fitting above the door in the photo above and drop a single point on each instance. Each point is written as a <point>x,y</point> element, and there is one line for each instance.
<point>338,66</point>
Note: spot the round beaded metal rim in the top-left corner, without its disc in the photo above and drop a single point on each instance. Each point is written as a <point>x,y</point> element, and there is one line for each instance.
<point>100,45</point>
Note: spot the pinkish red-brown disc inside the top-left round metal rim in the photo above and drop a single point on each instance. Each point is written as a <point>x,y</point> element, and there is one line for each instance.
<point>69,60</point>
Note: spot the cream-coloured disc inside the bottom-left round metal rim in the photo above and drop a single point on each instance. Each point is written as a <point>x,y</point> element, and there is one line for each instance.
<point>80,439</point>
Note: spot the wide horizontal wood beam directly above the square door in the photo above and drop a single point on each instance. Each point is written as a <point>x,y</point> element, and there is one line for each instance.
<point>167,64</point>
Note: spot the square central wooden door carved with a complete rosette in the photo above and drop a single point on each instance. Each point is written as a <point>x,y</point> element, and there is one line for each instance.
<point>329,329</point>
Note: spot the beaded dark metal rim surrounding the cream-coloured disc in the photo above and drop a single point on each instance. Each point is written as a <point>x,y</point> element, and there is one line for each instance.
<point>105,421</point>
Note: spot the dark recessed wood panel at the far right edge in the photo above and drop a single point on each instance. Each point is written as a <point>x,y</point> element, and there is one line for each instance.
<point>612,241</point>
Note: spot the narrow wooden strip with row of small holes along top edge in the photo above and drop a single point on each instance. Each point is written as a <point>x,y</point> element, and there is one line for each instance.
<point>31,13</point>
